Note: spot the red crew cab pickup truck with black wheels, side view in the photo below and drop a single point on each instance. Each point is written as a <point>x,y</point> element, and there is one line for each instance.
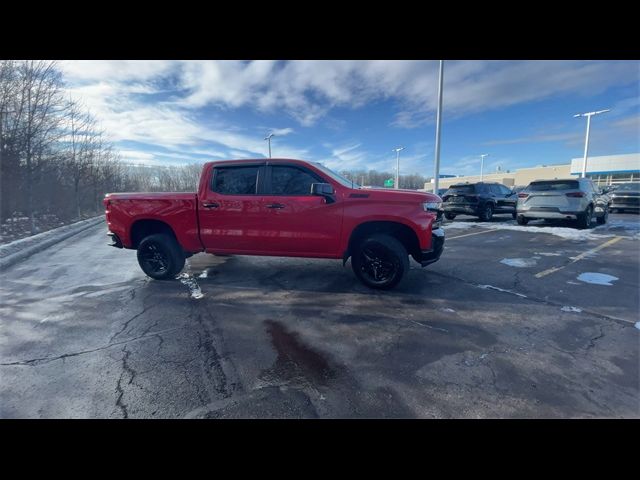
<point>280,207</point>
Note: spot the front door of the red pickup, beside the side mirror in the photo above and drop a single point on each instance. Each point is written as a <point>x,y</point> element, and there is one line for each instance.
<point>299,223</point>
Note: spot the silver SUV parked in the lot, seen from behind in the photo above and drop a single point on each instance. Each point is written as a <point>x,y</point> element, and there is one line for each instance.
<point>569,199</point>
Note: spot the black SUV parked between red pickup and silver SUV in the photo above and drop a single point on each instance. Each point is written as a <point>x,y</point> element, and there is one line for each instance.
<point>481,199</point>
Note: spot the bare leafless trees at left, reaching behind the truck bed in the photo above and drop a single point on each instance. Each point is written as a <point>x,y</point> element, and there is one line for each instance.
<point>55,158</point>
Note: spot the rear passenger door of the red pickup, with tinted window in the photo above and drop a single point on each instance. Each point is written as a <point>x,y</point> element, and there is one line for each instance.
<point>230,212</point>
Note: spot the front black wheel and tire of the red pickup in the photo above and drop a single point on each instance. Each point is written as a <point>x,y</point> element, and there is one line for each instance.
<point>380,261</point>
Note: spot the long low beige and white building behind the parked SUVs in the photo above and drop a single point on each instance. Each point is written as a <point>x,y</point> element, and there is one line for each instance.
<point>604,170</point>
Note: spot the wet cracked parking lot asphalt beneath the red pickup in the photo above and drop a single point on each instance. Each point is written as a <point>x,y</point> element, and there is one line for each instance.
<point>502,326</point>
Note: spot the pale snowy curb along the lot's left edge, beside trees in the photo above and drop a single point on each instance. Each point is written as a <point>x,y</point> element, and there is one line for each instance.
<point>25,247</point>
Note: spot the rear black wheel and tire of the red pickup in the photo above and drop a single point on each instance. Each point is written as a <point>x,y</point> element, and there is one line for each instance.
<point>160,256</point>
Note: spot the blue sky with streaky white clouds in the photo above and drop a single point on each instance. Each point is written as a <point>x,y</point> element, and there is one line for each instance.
<point>350,115</point>
